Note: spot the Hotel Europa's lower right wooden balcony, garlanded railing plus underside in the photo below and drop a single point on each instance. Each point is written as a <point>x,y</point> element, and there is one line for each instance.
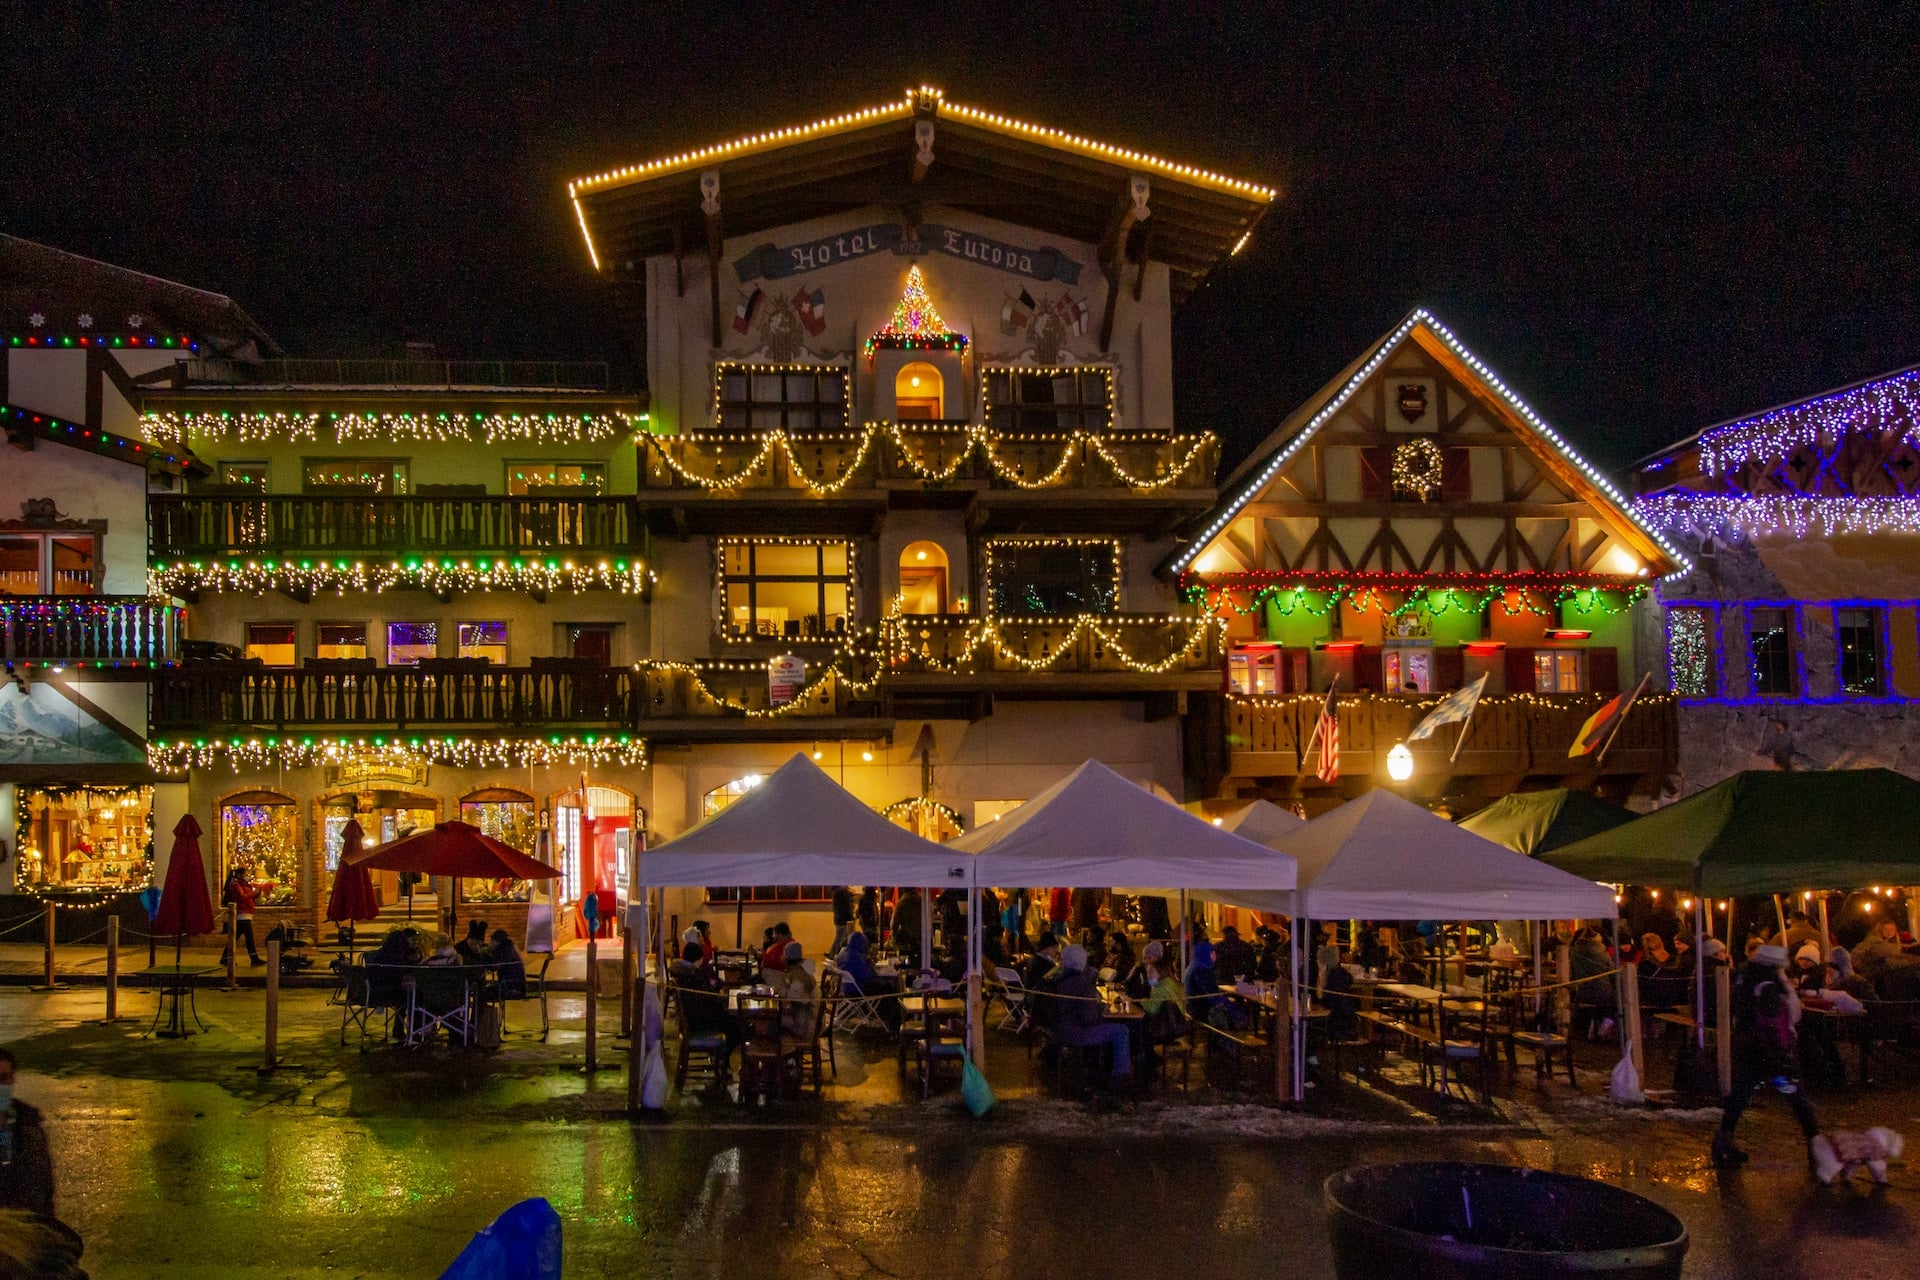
<point>1109,655</point>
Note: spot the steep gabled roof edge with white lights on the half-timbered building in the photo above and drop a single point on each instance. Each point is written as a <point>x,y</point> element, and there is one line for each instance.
<point>1278,450</point>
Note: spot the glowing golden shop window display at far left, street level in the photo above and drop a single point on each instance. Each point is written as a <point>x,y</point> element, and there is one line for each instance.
<point>85,838</point>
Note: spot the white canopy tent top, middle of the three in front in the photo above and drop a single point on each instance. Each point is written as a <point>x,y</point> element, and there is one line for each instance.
<point>1095,830</point>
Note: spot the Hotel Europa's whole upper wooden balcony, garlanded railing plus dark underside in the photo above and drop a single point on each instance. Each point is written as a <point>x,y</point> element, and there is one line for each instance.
<point>1120,481</point>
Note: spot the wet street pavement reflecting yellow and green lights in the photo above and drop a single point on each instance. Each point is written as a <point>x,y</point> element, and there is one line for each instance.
<point>183,1160</point>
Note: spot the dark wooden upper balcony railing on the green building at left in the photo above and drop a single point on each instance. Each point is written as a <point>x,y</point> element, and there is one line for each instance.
<point>312,525</point>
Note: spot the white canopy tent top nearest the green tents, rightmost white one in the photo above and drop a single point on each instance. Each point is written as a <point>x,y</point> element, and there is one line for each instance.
<point>1387,859</point>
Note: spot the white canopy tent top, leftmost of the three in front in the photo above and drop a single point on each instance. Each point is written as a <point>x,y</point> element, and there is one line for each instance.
<point>802,828</point>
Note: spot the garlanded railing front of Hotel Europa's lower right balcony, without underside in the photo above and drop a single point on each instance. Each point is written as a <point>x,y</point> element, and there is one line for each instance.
<point>1093,644</point>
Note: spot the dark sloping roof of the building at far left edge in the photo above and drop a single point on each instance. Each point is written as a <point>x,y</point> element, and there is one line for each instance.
<point>47,291</point>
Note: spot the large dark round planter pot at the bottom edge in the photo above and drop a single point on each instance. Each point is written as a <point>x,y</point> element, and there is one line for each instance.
<point>1414,1221</point>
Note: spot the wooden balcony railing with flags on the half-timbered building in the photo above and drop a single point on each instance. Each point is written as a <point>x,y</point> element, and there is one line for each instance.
<point>1518,736</point>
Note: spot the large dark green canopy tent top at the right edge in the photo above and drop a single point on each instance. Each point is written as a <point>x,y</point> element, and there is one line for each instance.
<point>1762,834</point>
